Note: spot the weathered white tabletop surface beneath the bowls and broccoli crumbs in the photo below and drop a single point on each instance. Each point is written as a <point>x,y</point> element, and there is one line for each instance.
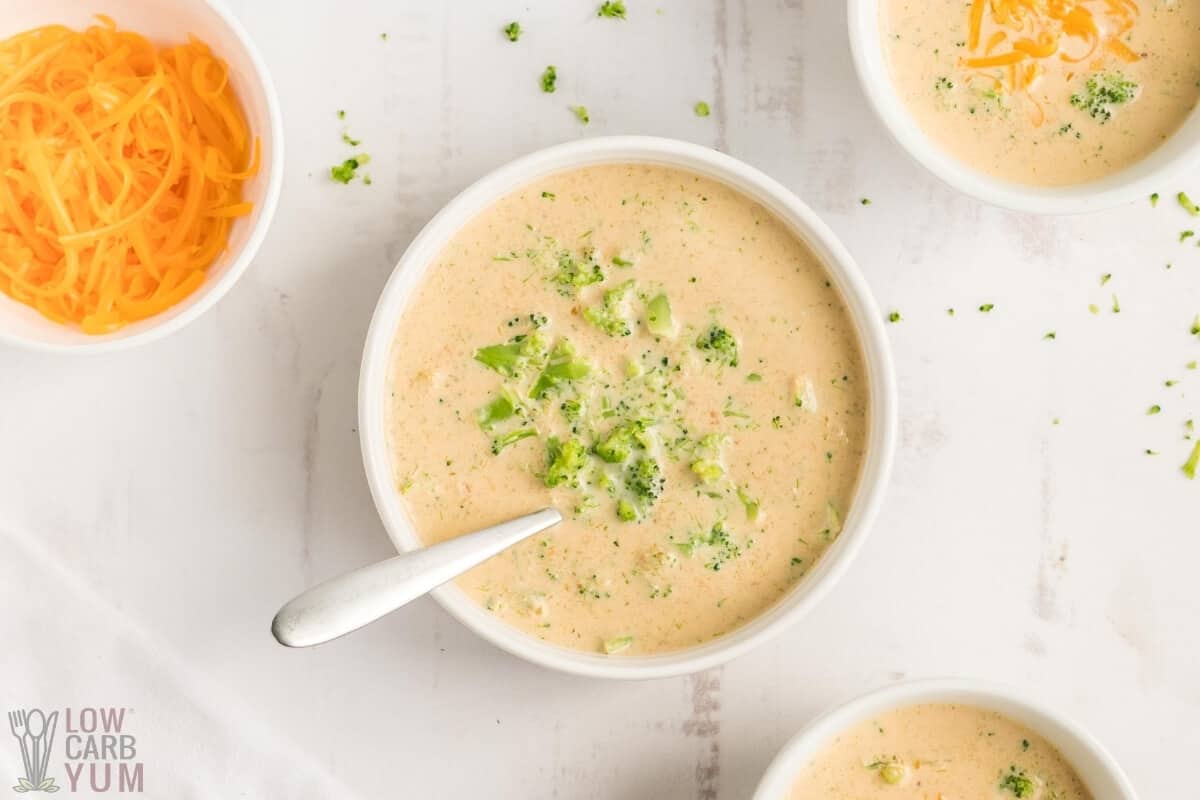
<point>158,506</point>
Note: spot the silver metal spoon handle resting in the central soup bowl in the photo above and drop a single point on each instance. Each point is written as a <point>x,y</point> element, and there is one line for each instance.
<point>350,601</point>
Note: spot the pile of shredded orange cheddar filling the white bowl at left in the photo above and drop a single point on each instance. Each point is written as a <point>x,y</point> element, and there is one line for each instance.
<point>121,172</point>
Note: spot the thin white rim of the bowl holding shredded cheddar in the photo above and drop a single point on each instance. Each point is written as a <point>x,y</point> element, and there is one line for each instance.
<point>238,267</point>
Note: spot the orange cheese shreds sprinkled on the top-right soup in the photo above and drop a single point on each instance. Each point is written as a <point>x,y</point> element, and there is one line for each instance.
<point>1013,41</point>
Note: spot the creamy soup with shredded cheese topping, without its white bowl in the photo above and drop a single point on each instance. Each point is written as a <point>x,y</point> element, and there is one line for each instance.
<point>1046,92</point>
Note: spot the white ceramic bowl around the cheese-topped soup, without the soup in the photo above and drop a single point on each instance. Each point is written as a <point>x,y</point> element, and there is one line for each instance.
<point>1179,155</point>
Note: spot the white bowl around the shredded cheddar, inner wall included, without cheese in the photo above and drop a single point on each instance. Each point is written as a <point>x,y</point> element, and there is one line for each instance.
<point>166,22</point>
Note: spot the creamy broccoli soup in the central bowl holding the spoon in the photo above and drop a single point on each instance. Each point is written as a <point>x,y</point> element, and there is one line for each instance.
<point>664,362</point>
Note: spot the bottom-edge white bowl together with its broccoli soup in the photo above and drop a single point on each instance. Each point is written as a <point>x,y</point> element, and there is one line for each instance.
<point>946,738</point>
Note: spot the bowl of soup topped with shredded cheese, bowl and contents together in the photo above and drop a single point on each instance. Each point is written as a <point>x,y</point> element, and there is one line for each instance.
<point>1041,106</point>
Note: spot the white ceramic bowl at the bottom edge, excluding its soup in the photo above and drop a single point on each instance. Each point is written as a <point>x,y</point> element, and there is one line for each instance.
<point>1100,771</point>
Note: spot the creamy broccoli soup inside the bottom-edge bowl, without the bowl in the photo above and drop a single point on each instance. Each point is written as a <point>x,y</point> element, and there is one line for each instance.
<point>939,751</point>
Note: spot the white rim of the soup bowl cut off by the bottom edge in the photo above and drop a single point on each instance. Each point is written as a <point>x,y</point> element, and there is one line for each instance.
<point>777,781</point>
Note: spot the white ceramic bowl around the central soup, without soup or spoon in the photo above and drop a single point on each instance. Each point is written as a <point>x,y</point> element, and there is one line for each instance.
<point>407,275</point>
